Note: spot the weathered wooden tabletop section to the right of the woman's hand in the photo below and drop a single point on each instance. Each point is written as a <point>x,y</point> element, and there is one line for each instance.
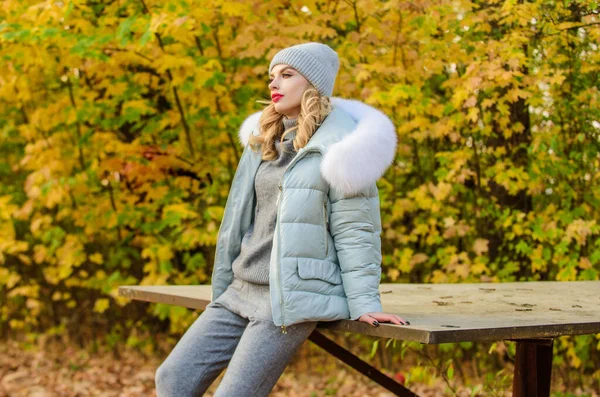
<point>476,312</point>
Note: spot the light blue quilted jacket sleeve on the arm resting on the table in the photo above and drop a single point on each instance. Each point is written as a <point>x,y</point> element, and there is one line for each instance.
<point>355,225</point>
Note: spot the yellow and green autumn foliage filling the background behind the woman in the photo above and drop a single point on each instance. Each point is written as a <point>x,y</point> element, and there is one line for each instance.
<point>118,144</point>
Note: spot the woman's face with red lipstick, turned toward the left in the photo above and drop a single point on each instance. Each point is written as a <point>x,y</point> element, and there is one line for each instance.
<point>287,86</point>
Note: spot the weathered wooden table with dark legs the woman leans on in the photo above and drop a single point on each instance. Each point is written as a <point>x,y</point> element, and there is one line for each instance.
<point>531,313</point>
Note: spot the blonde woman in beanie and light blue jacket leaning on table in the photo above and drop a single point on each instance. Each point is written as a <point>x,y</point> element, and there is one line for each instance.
<point>300,237</point>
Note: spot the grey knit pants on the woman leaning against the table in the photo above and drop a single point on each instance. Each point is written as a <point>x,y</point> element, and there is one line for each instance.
<point>234,331</point>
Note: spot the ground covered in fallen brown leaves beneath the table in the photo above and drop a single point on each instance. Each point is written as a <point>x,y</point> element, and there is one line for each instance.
<point>65,370</point>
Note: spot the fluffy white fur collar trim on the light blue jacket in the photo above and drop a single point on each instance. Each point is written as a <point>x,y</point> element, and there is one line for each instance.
<point>360,157</point>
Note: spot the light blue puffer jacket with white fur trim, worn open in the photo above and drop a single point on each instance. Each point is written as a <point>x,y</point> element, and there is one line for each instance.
<point>326,256</point>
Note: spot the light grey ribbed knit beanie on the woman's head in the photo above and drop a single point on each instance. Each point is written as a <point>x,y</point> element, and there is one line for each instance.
<point>317,62</point>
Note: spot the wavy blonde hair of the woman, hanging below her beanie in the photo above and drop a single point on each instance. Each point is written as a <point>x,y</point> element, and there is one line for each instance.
<point>313,109</point>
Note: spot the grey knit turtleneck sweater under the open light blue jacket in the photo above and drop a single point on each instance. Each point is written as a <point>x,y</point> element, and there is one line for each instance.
<point>252,264</point>
